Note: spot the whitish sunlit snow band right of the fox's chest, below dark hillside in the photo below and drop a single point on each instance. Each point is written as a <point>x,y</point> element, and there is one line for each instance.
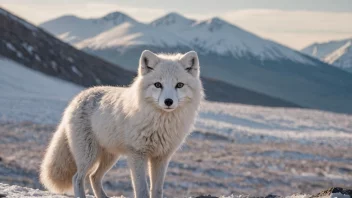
<point>249,124</point>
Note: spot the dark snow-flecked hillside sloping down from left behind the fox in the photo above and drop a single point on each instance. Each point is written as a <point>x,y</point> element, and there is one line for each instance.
<point>34,48</point>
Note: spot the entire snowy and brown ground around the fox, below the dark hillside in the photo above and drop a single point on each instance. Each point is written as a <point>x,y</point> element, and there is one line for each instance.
<point>235,149</point>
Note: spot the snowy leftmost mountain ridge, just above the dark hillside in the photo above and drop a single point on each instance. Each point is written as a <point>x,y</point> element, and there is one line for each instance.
<point>73,29</point>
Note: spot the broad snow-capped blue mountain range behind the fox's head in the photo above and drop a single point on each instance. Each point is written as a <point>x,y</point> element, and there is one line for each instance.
<point>227,53</point>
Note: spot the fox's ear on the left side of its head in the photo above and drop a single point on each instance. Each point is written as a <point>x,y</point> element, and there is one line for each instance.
<point>147,62</point>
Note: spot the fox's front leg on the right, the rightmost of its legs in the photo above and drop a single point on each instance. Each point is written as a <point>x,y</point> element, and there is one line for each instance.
<point>157,170</point>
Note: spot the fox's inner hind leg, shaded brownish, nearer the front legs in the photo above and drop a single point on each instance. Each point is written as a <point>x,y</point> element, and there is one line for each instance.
<point>106,161</point>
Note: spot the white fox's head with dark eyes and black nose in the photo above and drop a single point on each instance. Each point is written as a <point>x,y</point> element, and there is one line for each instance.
<point>169,81</point>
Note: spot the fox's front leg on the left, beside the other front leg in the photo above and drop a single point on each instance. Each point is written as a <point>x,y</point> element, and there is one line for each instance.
<point>138,164</point>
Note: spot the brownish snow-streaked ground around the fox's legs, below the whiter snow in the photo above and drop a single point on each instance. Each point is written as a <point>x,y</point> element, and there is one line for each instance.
<point>207,164</point>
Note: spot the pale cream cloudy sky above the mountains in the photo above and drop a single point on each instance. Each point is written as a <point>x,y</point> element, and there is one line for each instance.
<point>294,23</point>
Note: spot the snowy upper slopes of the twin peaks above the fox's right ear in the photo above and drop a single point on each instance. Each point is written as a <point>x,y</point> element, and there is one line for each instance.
<point>218,36</point>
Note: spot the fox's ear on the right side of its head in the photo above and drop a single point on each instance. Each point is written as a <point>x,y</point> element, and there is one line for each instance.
<point>191,63</point>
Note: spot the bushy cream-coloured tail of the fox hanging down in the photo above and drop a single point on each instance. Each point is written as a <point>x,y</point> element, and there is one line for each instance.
<point>58,166</point>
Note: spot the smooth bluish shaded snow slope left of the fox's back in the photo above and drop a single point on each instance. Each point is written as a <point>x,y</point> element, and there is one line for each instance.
<point>26,94</point>
